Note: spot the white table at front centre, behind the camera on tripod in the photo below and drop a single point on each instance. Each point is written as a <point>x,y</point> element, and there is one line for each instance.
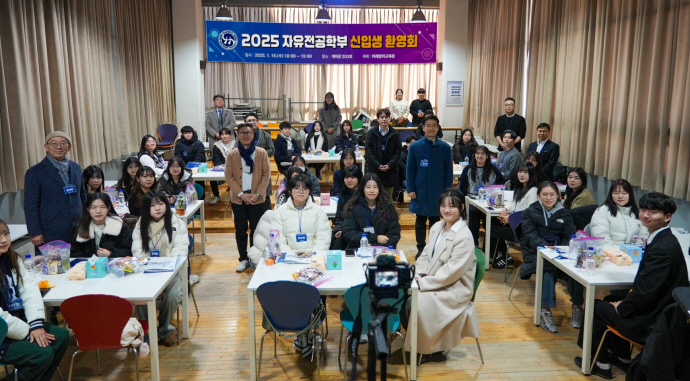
<point>352,274</point>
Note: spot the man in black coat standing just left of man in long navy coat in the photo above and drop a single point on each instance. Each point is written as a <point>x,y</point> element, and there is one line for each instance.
<point>383,147</point>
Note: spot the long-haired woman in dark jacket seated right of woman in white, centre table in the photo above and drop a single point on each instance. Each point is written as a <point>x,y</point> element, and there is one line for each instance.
<point>370,211</point>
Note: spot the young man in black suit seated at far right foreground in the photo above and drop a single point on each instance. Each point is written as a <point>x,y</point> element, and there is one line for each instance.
<point>661,270</point>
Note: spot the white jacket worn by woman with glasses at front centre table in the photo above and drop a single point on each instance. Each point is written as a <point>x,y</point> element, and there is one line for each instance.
<point>314,224</point>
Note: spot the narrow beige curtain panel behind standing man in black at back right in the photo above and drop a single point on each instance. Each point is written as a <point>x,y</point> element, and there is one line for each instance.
<point>495,61</point>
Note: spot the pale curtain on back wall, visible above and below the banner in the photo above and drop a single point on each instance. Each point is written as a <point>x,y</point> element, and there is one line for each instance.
<point>369,87</point>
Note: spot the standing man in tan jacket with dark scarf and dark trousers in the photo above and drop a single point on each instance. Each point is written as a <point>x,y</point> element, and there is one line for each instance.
<point>247,173</point>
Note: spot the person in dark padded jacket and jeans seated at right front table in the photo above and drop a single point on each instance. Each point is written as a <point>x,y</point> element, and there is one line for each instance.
<point>547,223</point>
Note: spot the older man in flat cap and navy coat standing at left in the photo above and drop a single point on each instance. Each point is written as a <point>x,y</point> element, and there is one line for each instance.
<point>54,193</point>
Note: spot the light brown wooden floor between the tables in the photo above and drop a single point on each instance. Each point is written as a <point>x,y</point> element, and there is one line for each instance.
<point>513,347</point>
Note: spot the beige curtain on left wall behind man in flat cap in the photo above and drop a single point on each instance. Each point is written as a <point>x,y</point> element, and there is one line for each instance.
<point>57,72</point>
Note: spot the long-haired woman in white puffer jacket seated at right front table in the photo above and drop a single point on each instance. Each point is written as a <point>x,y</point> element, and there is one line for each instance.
<point>616,220</point>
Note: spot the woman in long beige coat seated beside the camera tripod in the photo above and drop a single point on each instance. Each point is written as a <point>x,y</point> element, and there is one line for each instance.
<point>445,275</point>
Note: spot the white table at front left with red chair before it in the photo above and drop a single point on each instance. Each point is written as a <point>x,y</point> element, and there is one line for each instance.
<point>140,289</point>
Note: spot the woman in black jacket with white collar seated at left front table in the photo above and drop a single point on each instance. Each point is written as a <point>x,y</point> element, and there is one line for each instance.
<point>101,231</point>
